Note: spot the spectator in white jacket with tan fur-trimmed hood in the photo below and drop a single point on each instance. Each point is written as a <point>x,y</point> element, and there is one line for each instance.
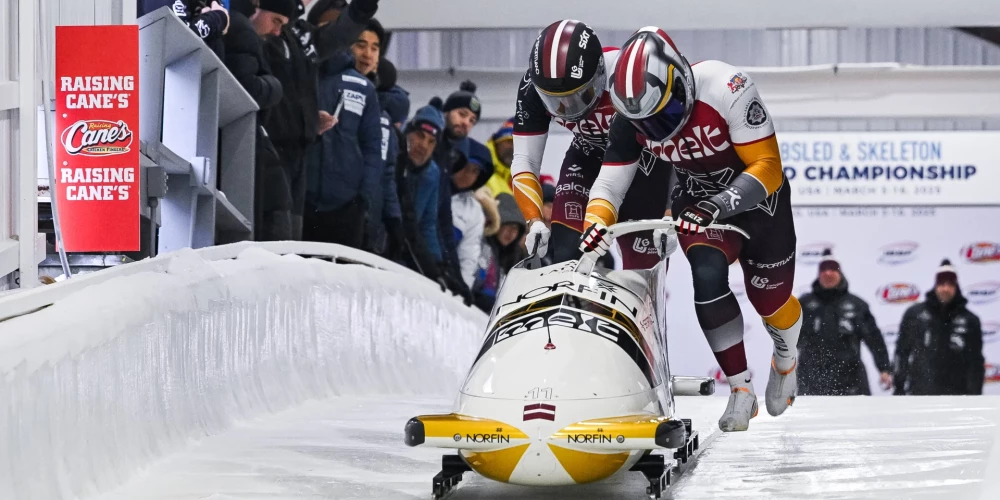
<point>467,211</point>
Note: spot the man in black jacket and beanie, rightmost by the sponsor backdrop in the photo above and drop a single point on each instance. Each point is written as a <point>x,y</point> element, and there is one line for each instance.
<point>940,345</point>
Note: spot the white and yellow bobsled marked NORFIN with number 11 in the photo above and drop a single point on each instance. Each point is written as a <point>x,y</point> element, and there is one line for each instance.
<point>571,384</point>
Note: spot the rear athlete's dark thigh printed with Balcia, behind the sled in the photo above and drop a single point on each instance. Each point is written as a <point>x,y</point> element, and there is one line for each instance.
<point>576,176</point>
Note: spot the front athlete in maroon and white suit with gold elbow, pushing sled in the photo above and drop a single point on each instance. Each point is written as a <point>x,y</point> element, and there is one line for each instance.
<point>709,121</point>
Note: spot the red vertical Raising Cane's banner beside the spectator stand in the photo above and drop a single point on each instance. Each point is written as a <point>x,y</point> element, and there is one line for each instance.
<point>97,137</point>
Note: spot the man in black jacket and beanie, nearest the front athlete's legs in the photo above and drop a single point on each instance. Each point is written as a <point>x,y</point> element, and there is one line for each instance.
<point>834,323</point>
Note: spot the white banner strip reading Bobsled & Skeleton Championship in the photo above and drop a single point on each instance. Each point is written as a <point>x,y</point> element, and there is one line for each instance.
<point>892,168</point>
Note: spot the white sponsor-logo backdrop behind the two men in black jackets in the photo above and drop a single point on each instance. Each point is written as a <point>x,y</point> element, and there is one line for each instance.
<point>889,257</point>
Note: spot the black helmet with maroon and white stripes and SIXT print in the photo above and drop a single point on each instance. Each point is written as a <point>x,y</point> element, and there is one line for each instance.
<point>567,69</point>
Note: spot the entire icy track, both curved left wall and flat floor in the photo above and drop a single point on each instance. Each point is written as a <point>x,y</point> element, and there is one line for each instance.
<point>233,373</point>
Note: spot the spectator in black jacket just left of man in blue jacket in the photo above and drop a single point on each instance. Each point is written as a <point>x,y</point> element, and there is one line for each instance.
<point>294,56</point>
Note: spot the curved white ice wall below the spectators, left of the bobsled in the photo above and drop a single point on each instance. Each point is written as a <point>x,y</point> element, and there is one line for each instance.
<point>105,381</point>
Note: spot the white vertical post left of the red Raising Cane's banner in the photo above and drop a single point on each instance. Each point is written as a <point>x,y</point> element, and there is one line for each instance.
<point>26,190</point>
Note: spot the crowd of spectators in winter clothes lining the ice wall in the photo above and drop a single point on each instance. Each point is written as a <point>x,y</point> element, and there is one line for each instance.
<point>341,159</point>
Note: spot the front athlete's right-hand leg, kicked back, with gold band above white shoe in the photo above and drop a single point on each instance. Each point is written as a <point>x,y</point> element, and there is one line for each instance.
<point>768,261</point>
